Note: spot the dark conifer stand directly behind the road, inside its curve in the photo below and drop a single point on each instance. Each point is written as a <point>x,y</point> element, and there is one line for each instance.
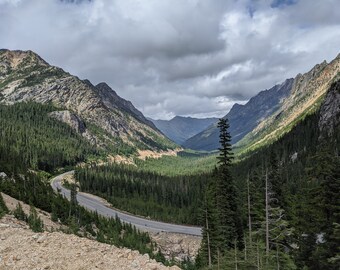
<point>173,199</point>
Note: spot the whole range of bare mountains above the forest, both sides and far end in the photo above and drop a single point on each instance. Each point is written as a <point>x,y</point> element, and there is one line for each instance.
<point>107,120</point>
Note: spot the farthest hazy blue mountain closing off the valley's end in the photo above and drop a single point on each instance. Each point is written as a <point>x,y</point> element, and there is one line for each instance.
<point>179,128</point>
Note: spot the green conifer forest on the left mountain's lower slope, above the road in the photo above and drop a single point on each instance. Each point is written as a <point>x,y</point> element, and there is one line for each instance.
<point>32,139</point>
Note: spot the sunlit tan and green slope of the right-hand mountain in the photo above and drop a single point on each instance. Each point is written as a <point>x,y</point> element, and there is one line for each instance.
<point>306,96</point>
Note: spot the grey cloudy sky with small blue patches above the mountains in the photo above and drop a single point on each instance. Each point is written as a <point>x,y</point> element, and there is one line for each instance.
<point>177,57</point>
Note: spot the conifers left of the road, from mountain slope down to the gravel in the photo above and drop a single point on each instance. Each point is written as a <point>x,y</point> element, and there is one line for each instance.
<point>30,139</point>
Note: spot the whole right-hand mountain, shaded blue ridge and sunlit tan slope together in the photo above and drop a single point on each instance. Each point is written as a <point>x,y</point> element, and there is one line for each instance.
<point>273,112</point>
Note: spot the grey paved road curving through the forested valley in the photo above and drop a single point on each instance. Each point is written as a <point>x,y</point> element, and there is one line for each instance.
<point>94,203</point>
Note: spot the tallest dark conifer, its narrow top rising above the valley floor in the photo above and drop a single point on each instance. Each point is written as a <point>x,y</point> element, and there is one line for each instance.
<point>220,217</point>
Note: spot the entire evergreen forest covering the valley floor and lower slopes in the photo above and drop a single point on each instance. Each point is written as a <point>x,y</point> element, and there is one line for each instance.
<point>275,208</point>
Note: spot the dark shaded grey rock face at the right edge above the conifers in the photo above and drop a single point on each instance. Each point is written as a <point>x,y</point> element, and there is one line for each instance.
<point>330,111</point>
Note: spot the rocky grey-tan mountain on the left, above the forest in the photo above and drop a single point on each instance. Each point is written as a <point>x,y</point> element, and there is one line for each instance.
<point>106,119</point>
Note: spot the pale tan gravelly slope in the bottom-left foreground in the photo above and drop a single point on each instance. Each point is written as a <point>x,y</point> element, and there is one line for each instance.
<point>20,248</point>
